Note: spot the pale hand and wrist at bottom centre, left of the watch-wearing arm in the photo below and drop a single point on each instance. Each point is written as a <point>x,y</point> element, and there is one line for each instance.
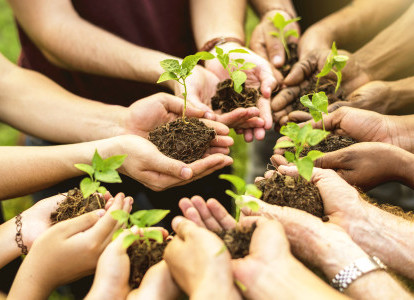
<point>257,270</point>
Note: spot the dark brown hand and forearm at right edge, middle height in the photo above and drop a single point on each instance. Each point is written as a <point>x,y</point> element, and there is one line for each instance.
<point>357,166</point>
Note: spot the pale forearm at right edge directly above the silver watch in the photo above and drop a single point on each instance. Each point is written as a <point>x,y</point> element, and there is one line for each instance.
<point>386,236</point>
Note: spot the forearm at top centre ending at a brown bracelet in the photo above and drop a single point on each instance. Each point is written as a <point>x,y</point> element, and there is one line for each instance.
<point>224,19</point>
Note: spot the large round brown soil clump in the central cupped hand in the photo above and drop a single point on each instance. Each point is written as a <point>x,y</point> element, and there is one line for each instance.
<point>186,141</point>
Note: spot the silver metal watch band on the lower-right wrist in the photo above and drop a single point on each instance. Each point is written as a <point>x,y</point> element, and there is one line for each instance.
<point>358,268</point>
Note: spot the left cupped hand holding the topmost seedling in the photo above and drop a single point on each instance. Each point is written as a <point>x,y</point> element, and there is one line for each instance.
<point>268,46</point>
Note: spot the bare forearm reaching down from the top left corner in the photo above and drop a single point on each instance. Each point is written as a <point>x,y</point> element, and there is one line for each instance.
<point>60,33</point>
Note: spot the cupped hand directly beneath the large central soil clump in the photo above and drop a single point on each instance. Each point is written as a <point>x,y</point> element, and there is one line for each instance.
<point>161,172</point>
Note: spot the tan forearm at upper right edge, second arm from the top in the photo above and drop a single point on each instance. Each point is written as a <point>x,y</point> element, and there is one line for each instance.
<point>389,54</point>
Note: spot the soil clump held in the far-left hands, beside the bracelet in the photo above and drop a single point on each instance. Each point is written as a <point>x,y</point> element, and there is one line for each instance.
<point>75,205</point>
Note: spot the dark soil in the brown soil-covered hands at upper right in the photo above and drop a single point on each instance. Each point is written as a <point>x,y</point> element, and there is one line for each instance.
<point>325,85</point>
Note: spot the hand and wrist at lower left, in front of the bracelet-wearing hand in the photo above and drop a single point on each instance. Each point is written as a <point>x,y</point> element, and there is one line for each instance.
<point>80,240</point>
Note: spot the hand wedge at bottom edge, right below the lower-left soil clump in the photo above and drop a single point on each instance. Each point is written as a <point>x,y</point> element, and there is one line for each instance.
<point>156,284</point>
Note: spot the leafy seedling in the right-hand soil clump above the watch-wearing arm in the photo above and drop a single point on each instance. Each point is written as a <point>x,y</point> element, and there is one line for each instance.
<point>300,137</point>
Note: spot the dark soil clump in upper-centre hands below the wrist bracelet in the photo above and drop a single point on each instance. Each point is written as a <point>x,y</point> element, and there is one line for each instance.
<point>227,99</point>
